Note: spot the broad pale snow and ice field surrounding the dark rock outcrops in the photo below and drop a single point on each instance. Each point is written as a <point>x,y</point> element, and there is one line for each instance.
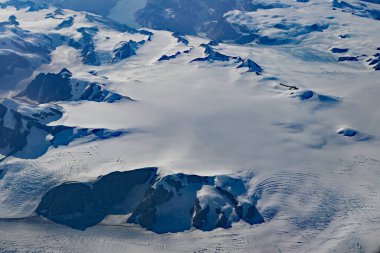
<point>315,182</point>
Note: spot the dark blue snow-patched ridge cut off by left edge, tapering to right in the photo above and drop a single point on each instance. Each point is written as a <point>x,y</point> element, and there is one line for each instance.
<point>17,128</point>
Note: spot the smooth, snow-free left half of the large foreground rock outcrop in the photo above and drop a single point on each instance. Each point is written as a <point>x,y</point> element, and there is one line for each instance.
<point>81,205</point>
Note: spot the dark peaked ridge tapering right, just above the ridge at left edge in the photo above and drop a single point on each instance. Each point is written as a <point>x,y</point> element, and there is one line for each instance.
<point>46,88</point>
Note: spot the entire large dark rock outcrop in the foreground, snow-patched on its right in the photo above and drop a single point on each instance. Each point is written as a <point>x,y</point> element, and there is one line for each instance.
<point>171,203</point>
